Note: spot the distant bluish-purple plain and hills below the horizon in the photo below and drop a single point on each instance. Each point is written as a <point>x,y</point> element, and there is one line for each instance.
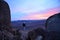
<point>29,24</point>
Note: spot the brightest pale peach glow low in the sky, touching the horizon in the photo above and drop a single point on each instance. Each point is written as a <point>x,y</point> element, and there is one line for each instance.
<point>34,17</point>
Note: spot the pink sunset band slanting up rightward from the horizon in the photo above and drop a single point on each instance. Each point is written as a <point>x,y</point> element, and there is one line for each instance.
<point>42,15</point>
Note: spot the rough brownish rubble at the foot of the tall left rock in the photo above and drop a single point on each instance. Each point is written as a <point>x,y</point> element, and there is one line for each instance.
<point>13,35</point>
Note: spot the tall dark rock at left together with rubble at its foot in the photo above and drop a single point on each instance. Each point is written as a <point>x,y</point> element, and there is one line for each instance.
<point>6,31</point>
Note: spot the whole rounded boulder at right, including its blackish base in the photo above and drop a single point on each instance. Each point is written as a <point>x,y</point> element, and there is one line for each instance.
<point>53,27</point>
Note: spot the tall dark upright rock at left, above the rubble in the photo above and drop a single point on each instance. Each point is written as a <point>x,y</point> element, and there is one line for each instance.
<point>4,14</point>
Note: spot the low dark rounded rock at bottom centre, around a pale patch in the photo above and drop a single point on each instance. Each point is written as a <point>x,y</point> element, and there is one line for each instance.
<point>32,35</point>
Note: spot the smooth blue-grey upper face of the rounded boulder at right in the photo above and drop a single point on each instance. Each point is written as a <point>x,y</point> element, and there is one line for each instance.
<point>53,23</point>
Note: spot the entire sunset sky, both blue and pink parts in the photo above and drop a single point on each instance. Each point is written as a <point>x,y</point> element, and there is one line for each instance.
<point>33,9</point>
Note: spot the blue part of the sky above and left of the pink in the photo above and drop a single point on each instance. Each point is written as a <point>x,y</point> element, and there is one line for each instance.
<point>21,8</point>
